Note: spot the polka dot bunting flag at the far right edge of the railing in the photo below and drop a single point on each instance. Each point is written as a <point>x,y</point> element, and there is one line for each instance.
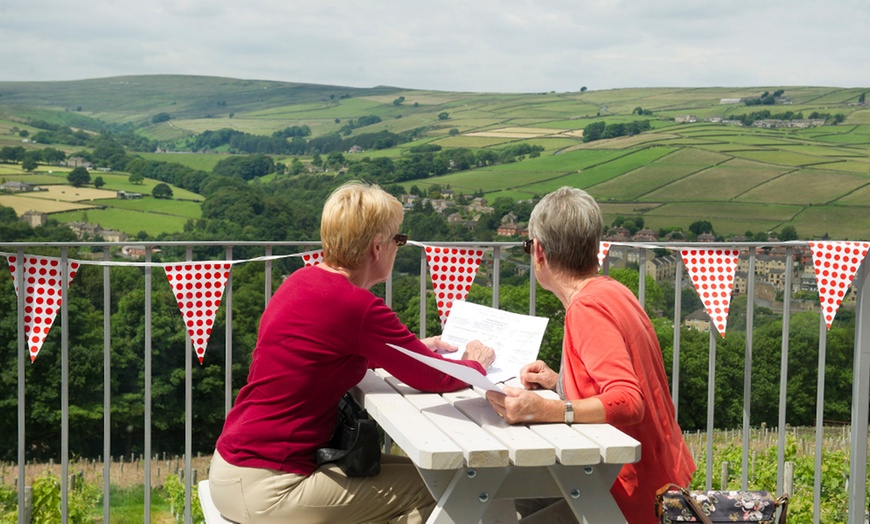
<point>835,264</point>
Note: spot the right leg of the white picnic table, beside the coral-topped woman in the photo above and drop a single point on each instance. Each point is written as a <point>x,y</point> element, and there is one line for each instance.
<point>588,492</point>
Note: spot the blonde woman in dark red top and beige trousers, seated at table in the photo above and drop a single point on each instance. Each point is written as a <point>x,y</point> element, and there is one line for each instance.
<point>319,334</point>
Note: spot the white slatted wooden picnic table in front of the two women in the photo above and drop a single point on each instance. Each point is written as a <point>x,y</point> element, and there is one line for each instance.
<point>475,464</point>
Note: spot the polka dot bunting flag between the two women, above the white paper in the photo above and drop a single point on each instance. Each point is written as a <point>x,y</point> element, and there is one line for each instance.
<point>452,271</point>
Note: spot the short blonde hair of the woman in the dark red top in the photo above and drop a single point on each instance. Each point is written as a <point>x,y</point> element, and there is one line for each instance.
<point>356,214</point>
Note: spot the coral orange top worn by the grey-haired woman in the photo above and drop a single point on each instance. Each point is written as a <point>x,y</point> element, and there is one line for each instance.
<point>611,352</point>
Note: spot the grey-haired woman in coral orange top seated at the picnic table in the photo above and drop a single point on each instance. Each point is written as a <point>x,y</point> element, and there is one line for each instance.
<point>612,369</point>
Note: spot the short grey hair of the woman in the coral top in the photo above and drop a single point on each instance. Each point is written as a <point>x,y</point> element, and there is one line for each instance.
<point>567,224</point>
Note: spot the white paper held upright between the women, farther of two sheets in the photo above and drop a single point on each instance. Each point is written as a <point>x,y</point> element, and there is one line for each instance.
<point>516,338</point>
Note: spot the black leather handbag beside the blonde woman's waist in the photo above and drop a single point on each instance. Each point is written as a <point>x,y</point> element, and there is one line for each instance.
<point>355,446</point>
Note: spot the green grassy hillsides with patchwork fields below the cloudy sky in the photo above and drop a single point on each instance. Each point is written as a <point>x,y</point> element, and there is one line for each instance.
<point>738,178</point>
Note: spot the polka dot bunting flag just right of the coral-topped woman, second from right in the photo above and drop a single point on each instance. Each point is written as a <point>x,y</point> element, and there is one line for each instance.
<point>712,272</point>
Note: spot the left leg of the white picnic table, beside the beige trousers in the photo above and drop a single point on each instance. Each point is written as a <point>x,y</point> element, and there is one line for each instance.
<point>467,496</point>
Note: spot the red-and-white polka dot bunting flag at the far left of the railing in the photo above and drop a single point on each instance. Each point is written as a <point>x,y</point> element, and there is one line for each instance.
<point>42,295</point>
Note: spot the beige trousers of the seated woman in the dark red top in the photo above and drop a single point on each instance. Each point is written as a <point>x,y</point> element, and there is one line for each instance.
<point>254,495</point>
